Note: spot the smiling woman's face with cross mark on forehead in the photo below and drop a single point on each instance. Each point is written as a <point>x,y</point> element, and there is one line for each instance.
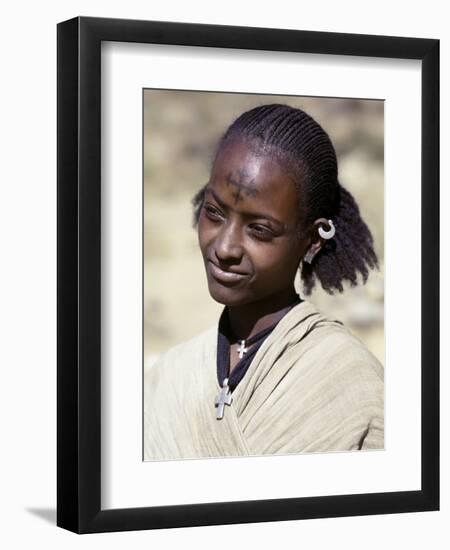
<point>248,228</point>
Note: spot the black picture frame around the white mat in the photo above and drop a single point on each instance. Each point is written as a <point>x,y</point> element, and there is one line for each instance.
<point>79,275</point>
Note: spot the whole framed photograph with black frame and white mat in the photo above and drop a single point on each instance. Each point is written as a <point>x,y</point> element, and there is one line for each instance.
<point>248,275</point>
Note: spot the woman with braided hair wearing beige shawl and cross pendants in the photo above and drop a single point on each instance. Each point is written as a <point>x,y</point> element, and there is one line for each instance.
<point>275,376</point>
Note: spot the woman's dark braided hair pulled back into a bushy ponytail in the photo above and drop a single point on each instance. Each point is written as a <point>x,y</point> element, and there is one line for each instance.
<point>302,147</point>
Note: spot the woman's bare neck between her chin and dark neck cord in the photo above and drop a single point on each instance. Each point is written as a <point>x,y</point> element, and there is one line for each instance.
<point>248,320</point>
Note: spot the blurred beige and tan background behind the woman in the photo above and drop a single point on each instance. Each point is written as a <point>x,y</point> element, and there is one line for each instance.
<point>181,129</point>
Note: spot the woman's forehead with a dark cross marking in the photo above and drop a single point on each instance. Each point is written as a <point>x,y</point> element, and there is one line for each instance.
<point>251,174</point>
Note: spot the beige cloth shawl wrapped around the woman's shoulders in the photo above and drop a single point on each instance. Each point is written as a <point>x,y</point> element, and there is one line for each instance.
<point>311,387</point>
